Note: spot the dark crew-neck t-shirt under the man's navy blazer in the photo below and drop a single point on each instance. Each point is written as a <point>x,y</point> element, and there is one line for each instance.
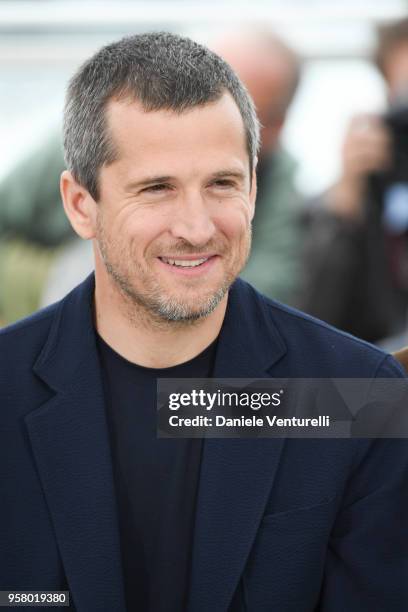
<point>156,482</point>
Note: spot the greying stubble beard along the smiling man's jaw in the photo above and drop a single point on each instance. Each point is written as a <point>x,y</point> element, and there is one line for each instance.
<point>153,303</point>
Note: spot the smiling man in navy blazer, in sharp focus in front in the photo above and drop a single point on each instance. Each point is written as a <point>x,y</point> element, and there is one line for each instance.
<point>161,141</point>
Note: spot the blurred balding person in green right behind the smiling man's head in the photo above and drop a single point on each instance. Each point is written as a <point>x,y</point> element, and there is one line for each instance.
<point>271,71</point>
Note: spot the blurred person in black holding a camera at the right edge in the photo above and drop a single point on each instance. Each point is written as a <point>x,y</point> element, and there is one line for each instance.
<point>356,250</point>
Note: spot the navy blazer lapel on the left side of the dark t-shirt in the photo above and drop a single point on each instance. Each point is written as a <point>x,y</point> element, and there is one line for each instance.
<point>70,443</point>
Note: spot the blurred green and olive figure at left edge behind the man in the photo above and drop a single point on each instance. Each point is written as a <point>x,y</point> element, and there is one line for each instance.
<point>33,227</point>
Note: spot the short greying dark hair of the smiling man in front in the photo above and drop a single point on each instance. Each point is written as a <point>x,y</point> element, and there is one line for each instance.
<point>161,71</point>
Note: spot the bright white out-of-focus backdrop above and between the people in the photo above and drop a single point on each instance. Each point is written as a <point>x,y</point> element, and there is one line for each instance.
<point>43,41</point>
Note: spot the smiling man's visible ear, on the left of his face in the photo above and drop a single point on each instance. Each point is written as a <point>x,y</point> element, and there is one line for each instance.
<point>79,206</point>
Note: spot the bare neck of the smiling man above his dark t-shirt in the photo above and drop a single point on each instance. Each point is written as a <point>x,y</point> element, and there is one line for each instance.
<point>143,339</point>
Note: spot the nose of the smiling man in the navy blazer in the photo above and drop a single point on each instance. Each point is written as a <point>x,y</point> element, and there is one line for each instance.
<point>192,220</point>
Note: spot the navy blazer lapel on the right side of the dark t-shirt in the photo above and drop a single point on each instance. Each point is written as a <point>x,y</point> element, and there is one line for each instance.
<point>236,474</point>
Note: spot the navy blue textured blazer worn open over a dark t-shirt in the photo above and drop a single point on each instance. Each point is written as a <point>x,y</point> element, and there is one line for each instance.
<point>281,525</point>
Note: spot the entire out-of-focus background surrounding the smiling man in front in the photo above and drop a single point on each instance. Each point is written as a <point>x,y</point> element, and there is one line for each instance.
<point>340,85</point>
